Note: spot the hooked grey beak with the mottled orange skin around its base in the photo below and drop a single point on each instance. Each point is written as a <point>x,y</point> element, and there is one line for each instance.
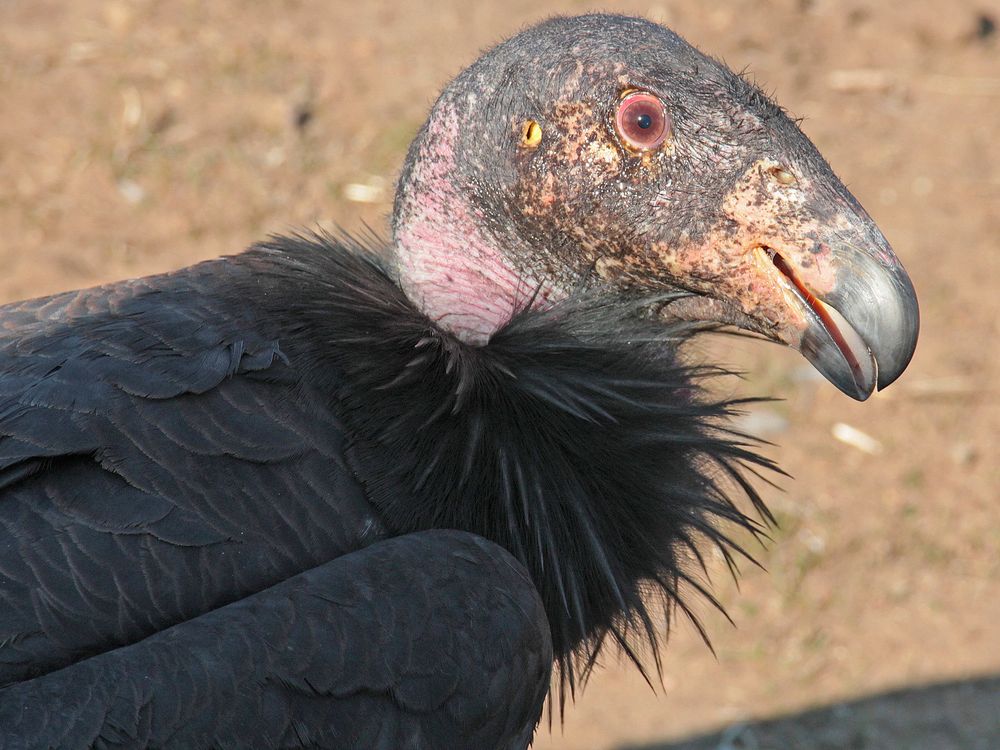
<point>805,265</point>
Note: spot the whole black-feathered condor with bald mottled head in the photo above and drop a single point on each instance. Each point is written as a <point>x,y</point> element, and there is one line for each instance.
<point>222,490</point>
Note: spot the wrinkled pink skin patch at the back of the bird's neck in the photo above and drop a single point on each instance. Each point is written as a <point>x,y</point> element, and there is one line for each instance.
<point>447,266</point>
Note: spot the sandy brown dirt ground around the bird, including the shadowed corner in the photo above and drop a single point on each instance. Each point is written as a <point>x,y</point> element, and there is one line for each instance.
<point>137,137</point>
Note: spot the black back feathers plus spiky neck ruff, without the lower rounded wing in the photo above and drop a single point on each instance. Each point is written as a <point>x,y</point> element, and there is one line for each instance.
<point>209,451</point>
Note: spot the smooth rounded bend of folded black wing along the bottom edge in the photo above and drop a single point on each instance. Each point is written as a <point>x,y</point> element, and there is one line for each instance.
<point>266,671</point>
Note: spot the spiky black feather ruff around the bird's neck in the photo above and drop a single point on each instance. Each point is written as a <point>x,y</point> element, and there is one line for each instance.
<point>576,437</point>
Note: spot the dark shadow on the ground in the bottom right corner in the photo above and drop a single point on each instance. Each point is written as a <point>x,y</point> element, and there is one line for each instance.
<point>963,715</point>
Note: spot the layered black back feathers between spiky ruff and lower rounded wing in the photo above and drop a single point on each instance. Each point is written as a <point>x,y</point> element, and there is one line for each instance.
<point>159,457</point>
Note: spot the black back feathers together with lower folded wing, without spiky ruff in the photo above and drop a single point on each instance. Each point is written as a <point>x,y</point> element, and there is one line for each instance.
<point>188,555</point>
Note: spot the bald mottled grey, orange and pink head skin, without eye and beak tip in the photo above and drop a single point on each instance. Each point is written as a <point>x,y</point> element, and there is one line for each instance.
<point>581,208</point>
